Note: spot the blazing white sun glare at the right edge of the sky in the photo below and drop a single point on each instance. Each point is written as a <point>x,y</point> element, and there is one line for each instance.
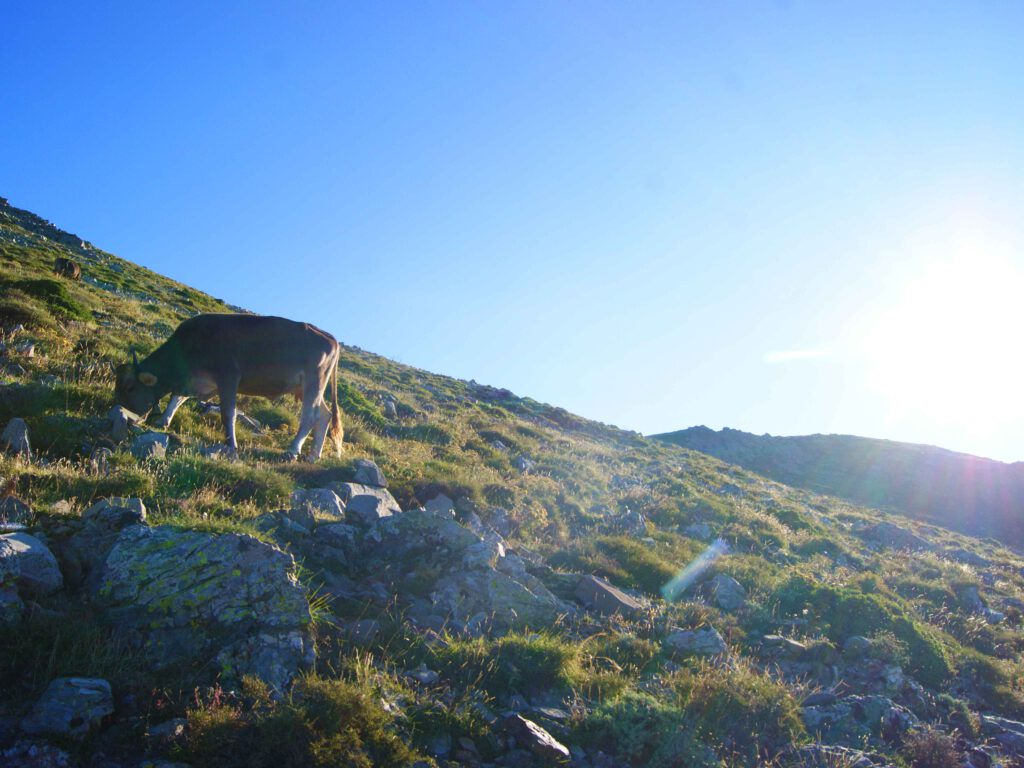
<point>950,347</point>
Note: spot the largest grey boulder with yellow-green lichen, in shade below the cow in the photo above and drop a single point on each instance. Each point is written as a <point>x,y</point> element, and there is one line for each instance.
<point>189,594</point>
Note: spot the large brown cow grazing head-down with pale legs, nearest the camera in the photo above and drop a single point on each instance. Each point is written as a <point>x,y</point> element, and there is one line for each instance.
<point>232,355</point>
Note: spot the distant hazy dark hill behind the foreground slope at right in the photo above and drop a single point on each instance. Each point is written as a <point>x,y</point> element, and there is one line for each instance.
<point>980,497</point>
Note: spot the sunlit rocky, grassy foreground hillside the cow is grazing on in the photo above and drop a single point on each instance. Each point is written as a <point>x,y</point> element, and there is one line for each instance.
<point>483,580</point>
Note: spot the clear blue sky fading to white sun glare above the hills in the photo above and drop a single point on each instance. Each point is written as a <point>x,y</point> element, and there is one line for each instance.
<point>786,218</point>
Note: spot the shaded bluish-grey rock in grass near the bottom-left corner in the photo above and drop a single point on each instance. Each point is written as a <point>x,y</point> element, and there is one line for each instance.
<point>71,707</point>
